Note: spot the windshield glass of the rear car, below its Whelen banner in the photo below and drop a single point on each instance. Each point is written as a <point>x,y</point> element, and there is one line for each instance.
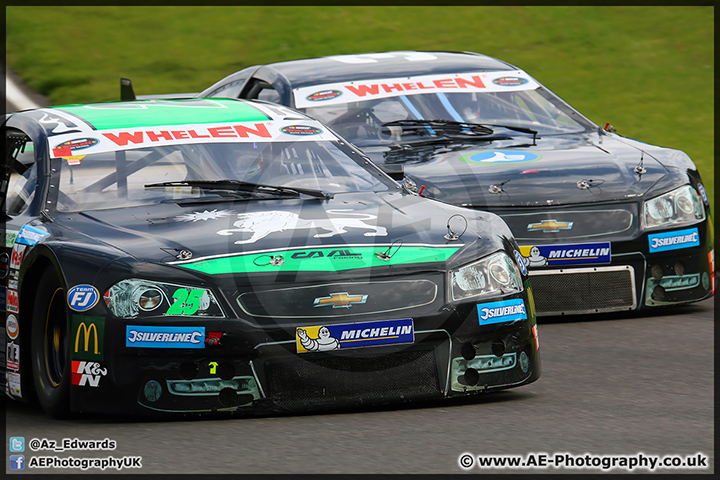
<point>362,122</point>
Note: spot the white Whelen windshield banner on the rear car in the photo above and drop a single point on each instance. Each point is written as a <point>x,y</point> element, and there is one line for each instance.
<point>345,92</point>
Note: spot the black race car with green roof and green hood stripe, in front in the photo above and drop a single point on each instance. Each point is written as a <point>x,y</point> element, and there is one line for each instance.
<point>206,255</point>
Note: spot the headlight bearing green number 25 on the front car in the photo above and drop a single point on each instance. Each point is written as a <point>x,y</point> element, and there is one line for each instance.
<point>136,297</point>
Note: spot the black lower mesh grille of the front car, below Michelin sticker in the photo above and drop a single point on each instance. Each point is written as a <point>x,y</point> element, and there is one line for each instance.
<point>337,379</point>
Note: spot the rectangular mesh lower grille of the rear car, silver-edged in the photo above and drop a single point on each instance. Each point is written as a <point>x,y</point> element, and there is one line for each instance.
<point>583,290</point>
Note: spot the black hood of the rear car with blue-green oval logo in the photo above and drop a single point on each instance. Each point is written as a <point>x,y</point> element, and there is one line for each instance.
<point>511,173</point>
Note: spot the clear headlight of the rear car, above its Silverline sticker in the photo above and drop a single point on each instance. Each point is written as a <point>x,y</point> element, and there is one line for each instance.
<point>682,205</point>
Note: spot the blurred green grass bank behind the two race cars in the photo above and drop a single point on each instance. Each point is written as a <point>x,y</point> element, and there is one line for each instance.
<point>648,70</point>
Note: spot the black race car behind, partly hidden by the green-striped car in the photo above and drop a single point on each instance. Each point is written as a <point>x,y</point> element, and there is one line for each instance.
<point>605,223</point>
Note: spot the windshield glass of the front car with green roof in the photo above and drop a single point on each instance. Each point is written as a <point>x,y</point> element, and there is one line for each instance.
<point>119,179</point>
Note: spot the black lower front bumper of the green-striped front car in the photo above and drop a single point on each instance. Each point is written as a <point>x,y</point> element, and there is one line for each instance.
<point>258,369</point>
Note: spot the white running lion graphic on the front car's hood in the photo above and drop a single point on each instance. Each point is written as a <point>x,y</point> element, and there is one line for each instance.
<point>262,224</point>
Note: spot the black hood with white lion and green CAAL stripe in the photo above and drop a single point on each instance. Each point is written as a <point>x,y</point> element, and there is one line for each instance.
<point>250,233</point>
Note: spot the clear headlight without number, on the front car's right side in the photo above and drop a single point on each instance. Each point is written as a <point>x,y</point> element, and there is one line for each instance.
<point>493,275</point>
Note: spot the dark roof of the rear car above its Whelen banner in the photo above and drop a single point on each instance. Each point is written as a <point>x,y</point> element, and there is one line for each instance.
<point>341,68</point>
